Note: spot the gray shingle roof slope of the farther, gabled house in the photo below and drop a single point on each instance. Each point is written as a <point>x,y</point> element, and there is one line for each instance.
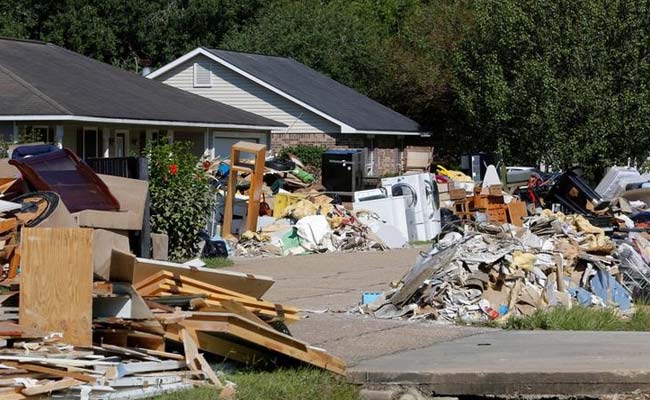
<point>319,91</point>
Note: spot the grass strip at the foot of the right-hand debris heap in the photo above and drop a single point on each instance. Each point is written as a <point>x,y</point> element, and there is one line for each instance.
<point>582,319</point>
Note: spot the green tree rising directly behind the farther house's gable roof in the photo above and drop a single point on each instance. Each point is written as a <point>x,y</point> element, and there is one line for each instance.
<point>342,39</point>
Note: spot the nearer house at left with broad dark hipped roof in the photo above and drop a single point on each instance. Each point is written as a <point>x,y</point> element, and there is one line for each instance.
<point>99,110</point>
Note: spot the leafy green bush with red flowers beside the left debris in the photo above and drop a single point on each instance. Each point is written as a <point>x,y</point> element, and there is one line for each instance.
<point>181,197</point>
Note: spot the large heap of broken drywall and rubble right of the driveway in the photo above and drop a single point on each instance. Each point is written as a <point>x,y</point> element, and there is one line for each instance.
<point>487,271</point>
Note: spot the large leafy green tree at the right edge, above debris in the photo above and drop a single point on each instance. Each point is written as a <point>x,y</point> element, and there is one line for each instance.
<point>561,81</point>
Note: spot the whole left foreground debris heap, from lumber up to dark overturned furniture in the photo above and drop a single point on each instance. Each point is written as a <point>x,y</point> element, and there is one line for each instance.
<point>84,317</point>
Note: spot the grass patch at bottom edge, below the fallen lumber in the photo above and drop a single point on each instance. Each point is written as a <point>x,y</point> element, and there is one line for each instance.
<point>281,384</point>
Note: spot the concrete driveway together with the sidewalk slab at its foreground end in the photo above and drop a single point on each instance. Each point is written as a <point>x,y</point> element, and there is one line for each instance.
<point>437,358</point>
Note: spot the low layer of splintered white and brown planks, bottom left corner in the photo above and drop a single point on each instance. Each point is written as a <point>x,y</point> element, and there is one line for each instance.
<point>33,364</point>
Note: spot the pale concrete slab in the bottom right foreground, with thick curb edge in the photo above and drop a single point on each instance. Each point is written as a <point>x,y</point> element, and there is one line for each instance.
<point>519,363</point>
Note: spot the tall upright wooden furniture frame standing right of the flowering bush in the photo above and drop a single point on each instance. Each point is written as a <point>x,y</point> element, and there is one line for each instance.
<point>256,170</point>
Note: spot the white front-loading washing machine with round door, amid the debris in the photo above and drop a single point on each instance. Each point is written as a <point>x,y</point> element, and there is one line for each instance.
<point>427,204</point>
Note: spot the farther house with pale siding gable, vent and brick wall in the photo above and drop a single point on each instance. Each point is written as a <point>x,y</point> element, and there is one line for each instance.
<point>314,108</point>
